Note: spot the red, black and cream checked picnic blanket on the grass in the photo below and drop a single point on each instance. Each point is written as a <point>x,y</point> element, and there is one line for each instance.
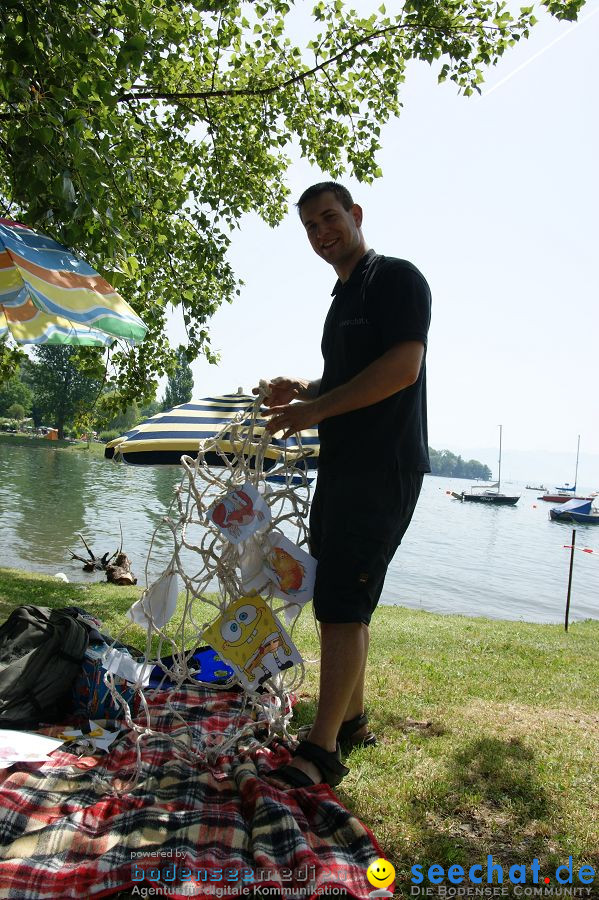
<point>184,830</point>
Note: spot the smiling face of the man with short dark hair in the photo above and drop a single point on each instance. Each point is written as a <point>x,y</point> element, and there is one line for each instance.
<point>334,232</point>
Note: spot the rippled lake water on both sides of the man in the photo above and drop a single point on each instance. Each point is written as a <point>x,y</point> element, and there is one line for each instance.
<point>502,562</point>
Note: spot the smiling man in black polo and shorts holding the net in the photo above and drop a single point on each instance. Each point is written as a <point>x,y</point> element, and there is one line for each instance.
<point>370,408</point>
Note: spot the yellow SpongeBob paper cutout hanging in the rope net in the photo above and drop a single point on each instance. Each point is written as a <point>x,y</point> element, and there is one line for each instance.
<point>251,639</point>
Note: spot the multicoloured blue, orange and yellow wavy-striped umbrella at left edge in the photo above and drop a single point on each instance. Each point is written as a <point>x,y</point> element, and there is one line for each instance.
<point>49,296</point>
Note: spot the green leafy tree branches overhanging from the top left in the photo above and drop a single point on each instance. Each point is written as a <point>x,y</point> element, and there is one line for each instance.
<point>140,131</point>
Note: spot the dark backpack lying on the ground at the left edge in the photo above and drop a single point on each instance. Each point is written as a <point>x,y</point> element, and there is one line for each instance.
<point>41,653</point>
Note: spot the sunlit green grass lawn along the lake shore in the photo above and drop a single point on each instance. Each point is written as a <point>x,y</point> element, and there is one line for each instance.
<point>488,732</point>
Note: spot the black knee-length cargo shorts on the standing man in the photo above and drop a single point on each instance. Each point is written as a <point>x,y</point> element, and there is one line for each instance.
<point>357,521</point>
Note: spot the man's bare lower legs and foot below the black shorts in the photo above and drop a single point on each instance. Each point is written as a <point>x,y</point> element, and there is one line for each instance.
<point>343,649</point>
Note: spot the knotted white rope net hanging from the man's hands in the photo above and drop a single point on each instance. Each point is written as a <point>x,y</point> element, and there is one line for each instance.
<point>208,566</point>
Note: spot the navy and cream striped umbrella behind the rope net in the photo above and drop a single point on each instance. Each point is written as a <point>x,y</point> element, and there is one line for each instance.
<point>164,438</point>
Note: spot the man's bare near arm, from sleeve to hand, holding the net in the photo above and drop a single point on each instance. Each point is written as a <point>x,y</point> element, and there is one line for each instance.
<point>395,370</point>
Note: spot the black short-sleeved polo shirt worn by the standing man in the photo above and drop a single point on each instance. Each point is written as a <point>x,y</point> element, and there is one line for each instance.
<point>384,301</point>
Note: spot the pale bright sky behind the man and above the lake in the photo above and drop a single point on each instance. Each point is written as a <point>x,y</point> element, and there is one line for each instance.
<point>495,199</point>
